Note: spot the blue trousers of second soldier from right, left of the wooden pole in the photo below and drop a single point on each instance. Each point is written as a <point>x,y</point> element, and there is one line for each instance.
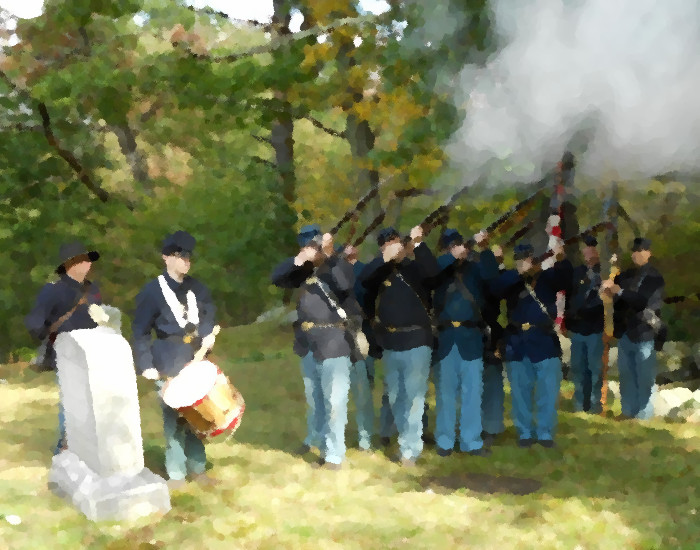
<point>587,362</point>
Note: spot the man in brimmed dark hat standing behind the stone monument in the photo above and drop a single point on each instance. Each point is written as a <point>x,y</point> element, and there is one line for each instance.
<point>62,306</point>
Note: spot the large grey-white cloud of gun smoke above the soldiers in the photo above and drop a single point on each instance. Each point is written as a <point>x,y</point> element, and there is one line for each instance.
<point>616,81</point>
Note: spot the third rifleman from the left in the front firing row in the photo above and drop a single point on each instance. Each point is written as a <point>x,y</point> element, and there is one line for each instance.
<point>458,303</point>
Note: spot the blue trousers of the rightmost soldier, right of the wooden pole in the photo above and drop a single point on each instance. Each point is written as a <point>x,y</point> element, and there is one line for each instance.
<point>636,363</point>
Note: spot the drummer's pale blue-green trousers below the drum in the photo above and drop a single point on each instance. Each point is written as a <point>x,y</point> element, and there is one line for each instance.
<point>184,451</point>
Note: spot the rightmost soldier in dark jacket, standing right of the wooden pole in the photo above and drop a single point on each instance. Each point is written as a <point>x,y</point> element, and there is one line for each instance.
<point>638,295</point>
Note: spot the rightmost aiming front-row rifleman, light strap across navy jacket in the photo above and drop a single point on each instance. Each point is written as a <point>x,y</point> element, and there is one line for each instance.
<point>532,350</point>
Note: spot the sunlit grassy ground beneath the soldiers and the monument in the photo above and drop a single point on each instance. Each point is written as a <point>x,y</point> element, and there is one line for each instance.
<point>607,485</point>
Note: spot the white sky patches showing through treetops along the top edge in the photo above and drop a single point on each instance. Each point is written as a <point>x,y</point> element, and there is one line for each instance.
<point>260,10</point>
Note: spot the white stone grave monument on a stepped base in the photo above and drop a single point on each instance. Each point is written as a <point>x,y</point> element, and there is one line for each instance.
<point>103,472</point>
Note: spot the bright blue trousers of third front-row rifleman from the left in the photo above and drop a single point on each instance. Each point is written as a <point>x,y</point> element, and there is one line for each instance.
<point>459,380</point>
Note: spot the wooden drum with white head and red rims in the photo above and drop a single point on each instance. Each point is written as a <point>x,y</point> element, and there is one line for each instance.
<point>205,398</point>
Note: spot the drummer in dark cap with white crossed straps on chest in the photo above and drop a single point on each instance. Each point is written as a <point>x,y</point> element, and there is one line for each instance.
<point>180,310</point>
